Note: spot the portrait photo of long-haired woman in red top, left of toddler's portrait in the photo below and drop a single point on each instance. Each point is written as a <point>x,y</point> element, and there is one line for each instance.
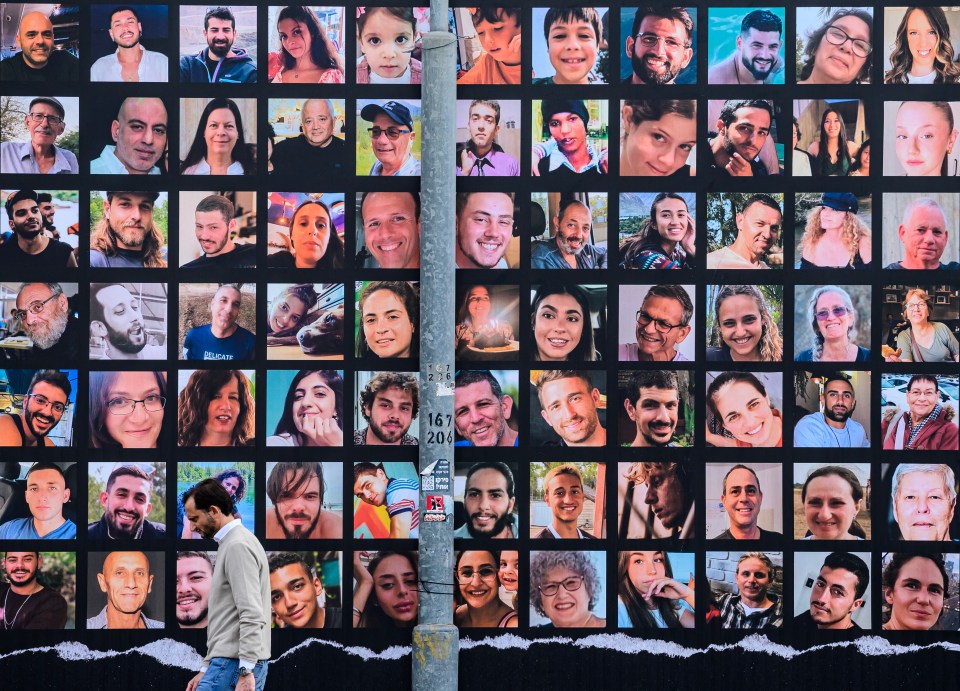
<point>305,44</point>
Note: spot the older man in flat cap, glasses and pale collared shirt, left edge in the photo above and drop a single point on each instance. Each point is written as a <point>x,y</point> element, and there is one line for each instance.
<point>45,122</point>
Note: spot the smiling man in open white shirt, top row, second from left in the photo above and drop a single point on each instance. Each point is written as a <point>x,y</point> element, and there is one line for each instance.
<point>131,62</point>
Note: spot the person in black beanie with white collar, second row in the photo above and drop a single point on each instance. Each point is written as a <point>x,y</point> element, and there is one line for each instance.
<point>567,155</point>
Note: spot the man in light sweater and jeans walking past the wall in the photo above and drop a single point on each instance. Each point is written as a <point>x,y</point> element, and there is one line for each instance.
<point>238,630</point>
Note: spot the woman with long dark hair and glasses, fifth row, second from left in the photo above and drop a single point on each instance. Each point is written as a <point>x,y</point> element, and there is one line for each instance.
<point>126,409</point>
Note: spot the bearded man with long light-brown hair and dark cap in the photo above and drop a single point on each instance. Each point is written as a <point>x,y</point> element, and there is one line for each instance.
<point>125,237</point>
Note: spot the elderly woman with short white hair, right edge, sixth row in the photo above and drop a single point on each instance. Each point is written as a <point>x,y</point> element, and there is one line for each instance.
<point>923,498</point>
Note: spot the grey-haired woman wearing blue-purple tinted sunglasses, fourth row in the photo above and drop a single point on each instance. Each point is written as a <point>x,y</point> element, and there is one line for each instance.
<point>833,321</point>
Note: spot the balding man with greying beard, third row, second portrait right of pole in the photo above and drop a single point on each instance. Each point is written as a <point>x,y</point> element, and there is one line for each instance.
<point>570,246</point>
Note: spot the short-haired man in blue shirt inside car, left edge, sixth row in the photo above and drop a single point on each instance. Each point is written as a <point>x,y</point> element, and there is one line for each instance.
<point>46,494</point>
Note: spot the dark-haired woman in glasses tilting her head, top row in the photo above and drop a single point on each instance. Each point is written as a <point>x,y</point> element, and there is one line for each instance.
<point>839,51</point>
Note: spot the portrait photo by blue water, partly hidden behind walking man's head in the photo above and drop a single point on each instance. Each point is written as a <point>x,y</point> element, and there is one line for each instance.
<point>237,477</point>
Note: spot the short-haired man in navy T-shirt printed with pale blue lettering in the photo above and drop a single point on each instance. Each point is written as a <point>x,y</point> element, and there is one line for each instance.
<point>223,338</point>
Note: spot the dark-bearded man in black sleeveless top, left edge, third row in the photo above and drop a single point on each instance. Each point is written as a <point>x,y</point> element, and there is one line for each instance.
<point>28,247</point>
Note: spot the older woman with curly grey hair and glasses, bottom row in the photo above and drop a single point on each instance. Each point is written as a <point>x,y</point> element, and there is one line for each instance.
<point>565,587</point>
